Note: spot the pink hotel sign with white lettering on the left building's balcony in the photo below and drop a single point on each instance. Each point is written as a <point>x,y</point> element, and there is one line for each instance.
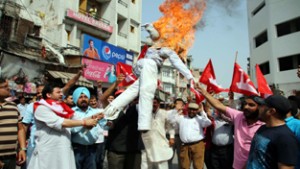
<point>89,20</point>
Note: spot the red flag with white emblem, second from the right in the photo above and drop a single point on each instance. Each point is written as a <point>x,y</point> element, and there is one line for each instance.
<point>241,82</point>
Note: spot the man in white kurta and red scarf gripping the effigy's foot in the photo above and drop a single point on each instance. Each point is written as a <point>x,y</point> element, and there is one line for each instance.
<point>52,137</point>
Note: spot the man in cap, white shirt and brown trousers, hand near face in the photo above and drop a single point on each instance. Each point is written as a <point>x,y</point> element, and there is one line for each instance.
<point>192,136</point>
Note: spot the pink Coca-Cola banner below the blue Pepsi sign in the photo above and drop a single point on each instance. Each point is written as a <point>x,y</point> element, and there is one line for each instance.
<point>96,70</point>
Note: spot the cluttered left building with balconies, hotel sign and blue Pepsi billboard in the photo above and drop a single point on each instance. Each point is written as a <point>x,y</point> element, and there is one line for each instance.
<point>40,35</point>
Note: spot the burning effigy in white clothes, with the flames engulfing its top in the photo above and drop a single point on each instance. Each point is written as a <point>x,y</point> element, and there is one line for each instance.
<point>172,36</point>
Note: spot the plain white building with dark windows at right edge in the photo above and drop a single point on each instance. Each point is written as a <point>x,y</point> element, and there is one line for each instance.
<point>274,35</point>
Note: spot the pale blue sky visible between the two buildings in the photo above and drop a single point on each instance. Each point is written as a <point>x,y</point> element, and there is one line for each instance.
<point>225,32</point>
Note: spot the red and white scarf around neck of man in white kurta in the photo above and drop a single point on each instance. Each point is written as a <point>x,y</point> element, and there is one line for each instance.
<point>59,108</point>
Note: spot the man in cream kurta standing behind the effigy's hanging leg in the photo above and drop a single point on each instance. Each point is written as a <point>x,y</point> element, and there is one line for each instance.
<point>157,147</point>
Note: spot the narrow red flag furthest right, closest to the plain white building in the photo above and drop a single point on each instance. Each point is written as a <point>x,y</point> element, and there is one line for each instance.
<point>262,84</point>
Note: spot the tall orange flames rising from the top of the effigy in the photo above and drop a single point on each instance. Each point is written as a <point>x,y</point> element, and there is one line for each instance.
<point>177,26</point>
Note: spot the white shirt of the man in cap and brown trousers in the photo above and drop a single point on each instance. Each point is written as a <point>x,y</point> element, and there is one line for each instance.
<point>191,129</point>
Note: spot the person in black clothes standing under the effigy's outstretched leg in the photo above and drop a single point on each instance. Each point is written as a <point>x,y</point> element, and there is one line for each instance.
<point>124,140</point>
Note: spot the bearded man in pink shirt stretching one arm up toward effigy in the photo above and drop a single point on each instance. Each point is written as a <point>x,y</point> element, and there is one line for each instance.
<point>245,123</point>
